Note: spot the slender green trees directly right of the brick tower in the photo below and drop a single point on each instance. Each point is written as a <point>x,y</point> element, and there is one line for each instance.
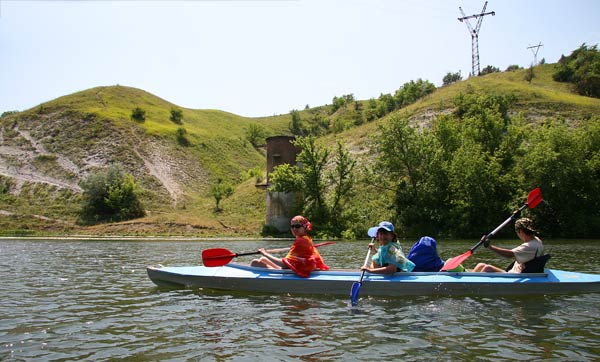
<point>325,192</point>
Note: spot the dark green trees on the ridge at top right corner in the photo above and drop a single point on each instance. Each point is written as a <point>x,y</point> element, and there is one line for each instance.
<point>582,68</point>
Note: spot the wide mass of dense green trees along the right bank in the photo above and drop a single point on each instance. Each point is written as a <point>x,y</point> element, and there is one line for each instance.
<point>473,167</point>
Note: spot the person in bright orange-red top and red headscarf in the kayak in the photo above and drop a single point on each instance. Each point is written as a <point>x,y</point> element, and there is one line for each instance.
<point>302,258</point>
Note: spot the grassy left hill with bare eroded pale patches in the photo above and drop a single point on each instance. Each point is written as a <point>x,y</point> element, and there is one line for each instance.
<point>47,151</point>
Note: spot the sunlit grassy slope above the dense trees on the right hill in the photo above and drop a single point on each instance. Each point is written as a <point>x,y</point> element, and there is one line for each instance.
<point>537,101</point>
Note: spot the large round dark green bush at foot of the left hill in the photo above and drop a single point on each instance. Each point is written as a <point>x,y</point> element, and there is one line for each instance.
<point>110,195</point>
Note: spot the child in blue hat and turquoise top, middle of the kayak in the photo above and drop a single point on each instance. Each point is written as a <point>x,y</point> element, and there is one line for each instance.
<point>389,257</point>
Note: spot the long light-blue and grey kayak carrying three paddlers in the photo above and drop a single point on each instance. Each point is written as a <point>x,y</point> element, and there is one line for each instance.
<point>237,277</point>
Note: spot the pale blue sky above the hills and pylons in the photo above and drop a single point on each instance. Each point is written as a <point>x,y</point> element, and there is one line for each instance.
<point>259,58</point>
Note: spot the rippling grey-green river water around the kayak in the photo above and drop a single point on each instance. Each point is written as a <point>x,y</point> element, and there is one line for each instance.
<point>92,300</point>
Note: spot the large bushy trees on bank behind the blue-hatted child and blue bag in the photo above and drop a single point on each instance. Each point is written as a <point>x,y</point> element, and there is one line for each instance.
<point>453,177</point>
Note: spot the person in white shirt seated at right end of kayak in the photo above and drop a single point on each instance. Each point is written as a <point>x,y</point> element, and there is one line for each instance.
<point>531,248</point>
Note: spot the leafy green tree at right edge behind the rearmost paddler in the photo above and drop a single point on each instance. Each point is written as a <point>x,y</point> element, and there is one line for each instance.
<point>565,162</point>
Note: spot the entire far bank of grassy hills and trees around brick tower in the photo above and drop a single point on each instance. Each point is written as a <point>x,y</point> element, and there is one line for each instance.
<point>448,161</point>
